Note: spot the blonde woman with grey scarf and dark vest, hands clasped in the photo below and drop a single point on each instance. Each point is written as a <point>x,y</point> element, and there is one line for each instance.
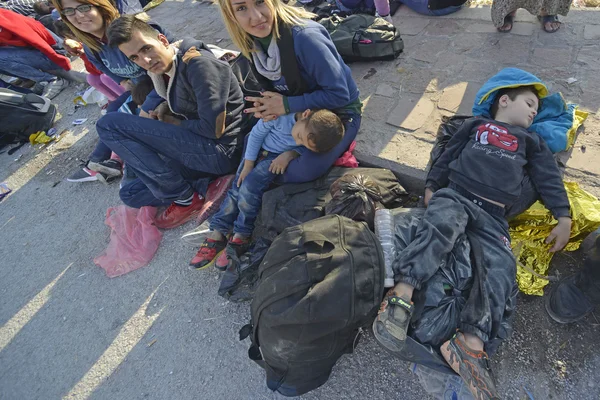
<point>299,68</point>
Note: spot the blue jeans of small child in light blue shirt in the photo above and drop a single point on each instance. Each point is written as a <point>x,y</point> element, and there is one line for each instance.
<point>242,205</point>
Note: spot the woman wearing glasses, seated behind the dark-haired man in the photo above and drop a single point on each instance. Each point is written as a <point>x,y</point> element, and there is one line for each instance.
<point>88,21</point>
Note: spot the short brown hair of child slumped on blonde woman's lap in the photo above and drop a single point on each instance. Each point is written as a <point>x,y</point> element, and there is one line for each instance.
<point>325,129</point>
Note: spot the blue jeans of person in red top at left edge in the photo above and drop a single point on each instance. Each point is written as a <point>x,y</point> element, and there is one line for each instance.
<point>27,63</point>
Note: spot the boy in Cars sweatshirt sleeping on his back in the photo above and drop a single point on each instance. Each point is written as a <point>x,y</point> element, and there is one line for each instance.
<point>467,190</point>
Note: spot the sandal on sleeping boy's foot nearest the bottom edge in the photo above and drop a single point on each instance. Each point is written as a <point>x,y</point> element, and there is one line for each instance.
<point>472,366</point>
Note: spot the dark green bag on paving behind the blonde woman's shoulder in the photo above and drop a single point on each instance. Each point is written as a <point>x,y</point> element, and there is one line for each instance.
<point>364,37</point>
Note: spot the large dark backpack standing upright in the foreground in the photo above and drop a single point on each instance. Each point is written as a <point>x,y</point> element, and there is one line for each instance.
<point>319,283</point>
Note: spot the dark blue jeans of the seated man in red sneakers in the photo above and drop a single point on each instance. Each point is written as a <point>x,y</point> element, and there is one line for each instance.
<point>170,162</point>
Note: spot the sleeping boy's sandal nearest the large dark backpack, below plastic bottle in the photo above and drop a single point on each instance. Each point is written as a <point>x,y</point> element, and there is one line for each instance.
<point>391,324</point>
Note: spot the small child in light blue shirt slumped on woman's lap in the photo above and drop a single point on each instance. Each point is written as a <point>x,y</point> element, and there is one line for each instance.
<point>270,148</point>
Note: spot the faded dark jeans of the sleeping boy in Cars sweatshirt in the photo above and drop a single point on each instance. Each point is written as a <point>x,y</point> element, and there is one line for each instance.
<point>450,214</point>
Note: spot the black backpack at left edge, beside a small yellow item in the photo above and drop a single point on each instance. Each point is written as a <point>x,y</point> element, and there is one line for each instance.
<point>23,114</point>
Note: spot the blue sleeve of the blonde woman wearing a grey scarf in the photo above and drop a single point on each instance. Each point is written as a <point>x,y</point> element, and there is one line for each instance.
<point>318,56</point>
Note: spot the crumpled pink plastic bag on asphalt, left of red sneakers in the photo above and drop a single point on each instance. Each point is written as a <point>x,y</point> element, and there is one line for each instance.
<point>133,240</point>
